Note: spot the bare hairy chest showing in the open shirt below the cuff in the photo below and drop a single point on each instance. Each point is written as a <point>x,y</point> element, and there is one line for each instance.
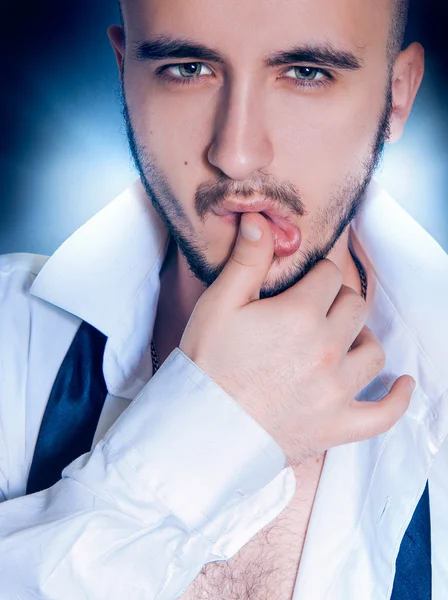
<point>266,567</point>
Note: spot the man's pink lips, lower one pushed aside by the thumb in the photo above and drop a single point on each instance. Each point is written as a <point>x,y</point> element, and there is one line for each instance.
<point>286,234</point>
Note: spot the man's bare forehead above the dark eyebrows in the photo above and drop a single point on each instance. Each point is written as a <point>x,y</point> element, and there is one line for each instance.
<point>253,27</point>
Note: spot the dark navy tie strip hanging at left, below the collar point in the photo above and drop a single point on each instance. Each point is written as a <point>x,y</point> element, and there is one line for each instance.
<point>73,409</point>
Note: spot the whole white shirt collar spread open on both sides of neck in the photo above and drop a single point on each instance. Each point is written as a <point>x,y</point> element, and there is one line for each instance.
<point>107,273</point>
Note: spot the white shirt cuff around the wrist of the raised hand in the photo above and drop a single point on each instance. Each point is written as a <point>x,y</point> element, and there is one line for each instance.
<point>186,440</point>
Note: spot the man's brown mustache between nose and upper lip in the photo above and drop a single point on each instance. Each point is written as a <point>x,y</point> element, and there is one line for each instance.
<point>213,194</point>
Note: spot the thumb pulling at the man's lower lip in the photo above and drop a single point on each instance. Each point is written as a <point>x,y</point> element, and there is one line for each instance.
<point>250,261</point>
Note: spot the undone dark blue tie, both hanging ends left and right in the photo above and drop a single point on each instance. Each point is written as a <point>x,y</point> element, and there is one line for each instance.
<point>70,422</point>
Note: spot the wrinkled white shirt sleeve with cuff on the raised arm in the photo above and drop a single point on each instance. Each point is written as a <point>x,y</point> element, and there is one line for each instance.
<point>171,486</point>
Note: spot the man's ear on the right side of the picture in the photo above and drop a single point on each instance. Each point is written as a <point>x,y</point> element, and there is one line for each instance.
<point>406,79</point>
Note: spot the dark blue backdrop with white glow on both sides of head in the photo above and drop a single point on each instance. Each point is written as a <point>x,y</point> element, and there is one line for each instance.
<point>64,154</point>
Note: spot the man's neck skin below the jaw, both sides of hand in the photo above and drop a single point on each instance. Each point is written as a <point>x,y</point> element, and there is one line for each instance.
<point>180,291</point>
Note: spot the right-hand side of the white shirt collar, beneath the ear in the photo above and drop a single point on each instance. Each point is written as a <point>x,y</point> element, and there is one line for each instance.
<point>409,276</point>
